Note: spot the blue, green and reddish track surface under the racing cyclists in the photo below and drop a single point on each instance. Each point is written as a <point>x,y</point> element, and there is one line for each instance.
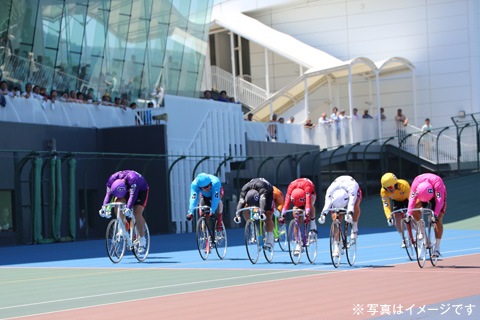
<point>78,281</point>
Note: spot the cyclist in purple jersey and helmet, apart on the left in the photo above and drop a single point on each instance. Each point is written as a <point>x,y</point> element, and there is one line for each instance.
<point>129,187</point>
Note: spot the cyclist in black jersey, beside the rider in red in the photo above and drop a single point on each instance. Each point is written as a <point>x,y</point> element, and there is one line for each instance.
<point>258,192</point>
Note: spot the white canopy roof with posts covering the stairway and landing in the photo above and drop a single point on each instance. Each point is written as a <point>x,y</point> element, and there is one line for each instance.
<point>322,68</point>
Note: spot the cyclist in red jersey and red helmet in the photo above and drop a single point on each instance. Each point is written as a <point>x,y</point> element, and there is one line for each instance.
<point>301,193</point>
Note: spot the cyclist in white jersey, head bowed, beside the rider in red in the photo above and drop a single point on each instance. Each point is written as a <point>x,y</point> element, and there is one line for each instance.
<point>344,192</point>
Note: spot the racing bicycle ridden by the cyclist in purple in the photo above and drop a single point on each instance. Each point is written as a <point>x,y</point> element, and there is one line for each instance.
<point>122,233</point>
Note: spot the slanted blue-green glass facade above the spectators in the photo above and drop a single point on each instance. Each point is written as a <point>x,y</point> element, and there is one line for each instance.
<point>120,47</point>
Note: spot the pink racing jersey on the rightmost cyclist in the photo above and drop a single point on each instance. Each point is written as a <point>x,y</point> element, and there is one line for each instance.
<point>439,191</point>
